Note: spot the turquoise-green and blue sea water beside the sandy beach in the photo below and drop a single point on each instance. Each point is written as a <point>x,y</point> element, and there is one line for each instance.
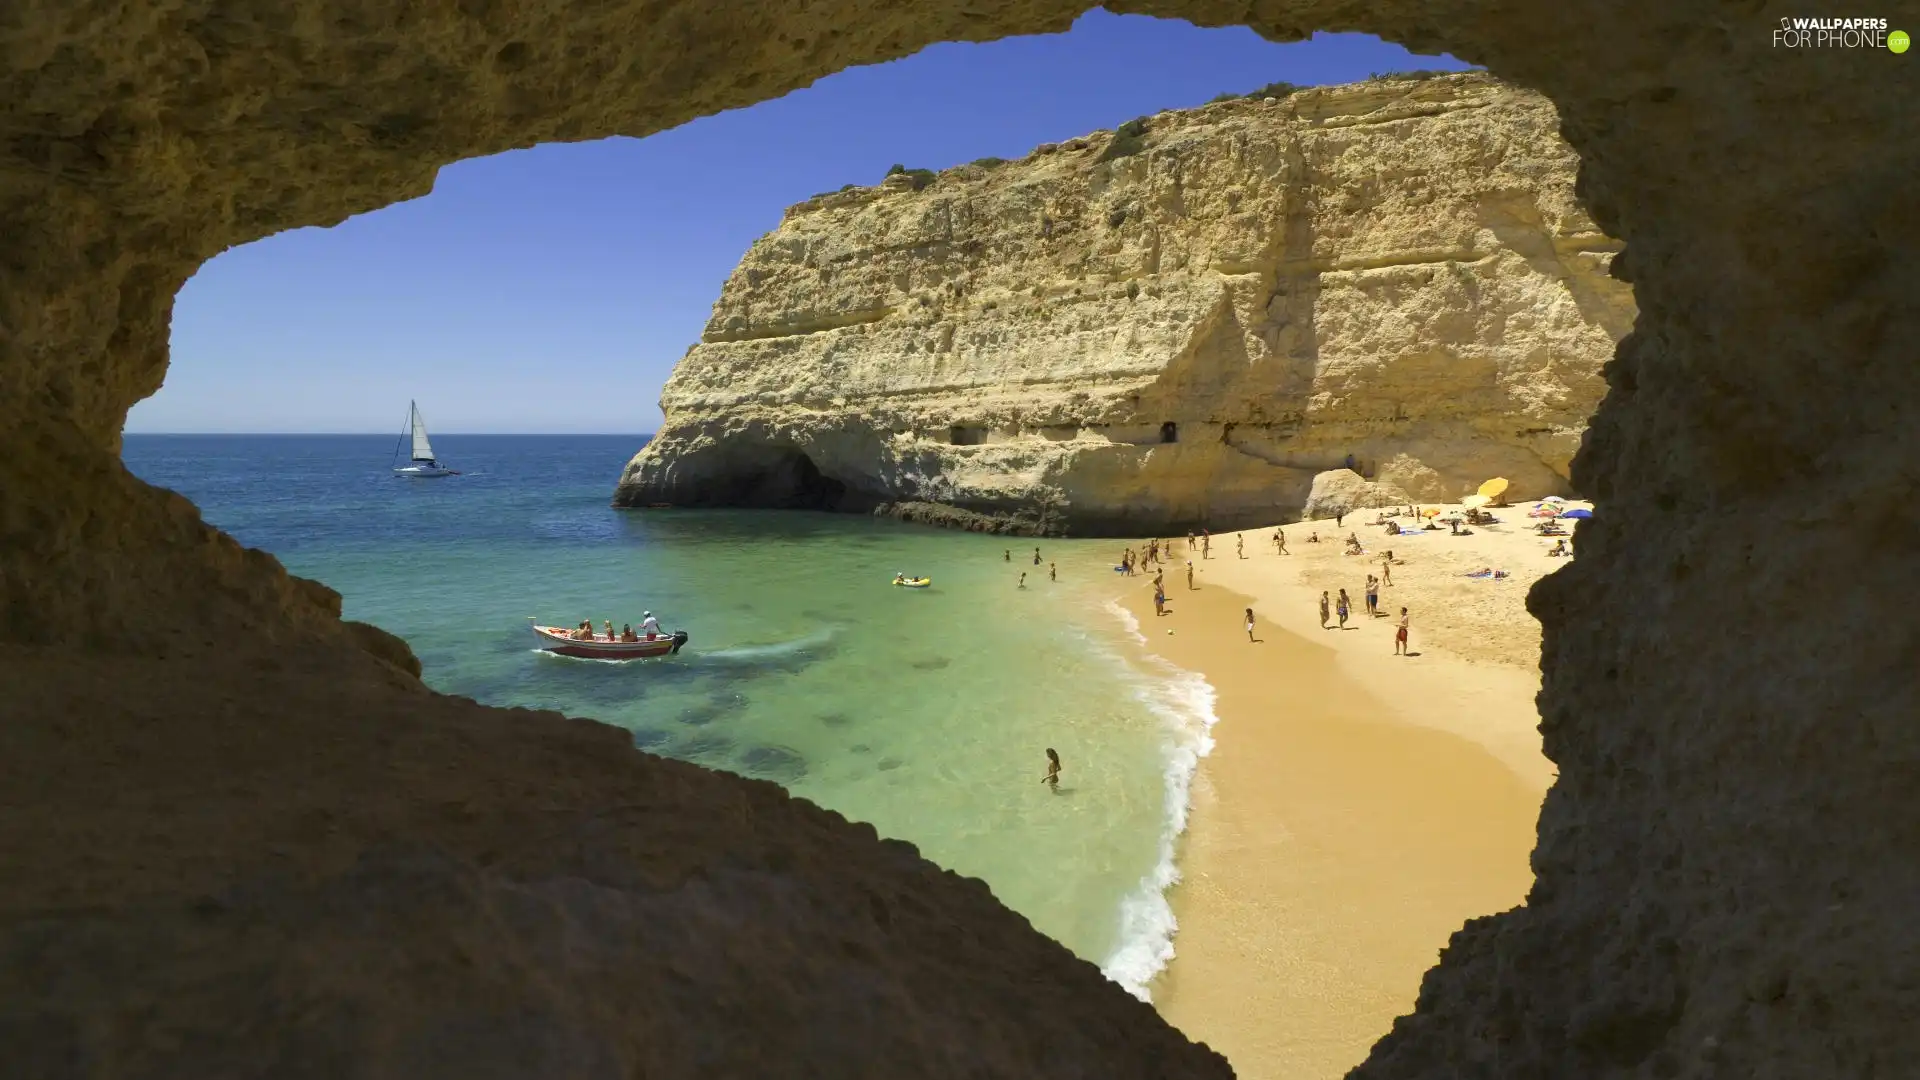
<point>923,712</point>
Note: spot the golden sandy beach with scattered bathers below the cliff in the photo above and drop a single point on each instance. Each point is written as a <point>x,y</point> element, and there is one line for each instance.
<point>1358,806</point>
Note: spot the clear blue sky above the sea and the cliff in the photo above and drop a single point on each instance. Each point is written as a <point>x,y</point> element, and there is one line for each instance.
<point>554,289</point>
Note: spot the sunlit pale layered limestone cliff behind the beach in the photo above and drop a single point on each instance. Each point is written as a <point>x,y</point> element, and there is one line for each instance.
<point>1166,326</point>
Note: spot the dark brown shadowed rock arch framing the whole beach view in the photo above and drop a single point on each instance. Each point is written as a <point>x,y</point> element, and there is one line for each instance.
<point>1725,871</point>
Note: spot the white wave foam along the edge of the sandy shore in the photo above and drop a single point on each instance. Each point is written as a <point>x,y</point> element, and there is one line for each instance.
<point>1184,700</point>
